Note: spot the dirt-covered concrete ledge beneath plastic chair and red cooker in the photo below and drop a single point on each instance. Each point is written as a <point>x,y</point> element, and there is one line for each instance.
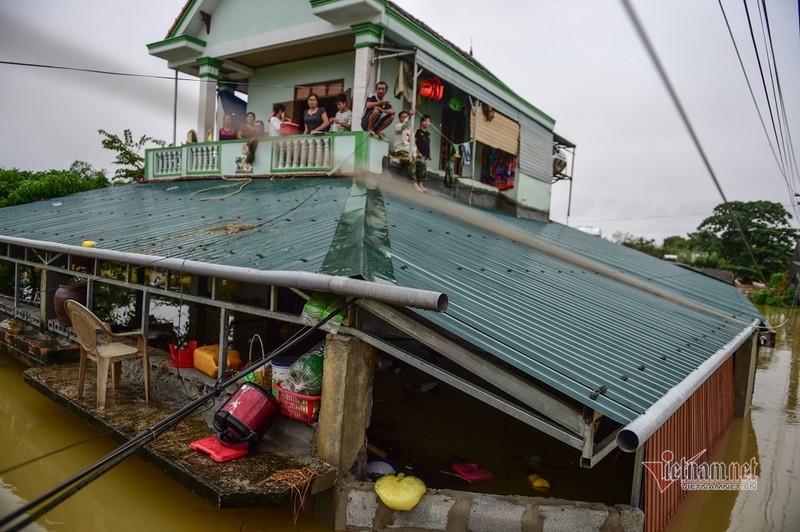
<point>243,482</point>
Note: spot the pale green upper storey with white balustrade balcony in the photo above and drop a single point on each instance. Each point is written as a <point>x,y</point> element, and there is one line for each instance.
<point>344,47</point>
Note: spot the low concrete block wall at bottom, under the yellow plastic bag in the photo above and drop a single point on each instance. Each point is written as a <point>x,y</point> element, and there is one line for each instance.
<point>359,509</point>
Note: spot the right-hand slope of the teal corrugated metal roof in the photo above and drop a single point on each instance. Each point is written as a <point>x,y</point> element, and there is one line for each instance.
<point>571,328</point>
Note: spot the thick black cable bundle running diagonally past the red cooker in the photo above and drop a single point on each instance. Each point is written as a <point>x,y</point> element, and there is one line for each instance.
<point>66,489</point>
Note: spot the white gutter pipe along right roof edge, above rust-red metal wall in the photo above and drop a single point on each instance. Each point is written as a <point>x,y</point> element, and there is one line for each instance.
<point>640,429</point>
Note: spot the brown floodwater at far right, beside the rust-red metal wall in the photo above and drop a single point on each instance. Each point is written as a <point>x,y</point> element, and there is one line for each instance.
<point>769,432</point>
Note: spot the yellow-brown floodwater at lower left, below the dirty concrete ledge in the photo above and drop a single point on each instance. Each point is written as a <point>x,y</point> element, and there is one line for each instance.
<point>133,496</point>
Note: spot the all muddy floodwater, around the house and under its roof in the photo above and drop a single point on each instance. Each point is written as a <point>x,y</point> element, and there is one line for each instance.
<point>137,496</point>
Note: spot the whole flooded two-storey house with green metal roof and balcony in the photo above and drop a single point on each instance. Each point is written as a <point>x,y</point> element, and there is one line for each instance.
<point>596,347</point>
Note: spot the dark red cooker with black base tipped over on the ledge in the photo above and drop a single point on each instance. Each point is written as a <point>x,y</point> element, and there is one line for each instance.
<point>246,416</point>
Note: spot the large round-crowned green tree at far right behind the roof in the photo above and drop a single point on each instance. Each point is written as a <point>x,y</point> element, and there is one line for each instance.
<point>765,225</point>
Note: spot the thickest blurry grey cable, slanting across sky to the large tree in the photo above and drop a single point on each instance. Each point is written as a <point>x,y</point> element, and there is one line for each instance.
<point>651,52</point>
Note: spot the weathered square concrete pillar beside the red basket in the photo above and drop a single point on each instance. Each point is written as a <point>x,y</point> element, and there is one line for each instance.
<point>346,400</point>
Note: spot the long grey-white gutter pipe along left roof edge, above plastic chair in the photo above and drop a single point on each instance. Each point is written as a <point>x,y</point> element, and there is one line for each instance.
<point>395,295</point>
